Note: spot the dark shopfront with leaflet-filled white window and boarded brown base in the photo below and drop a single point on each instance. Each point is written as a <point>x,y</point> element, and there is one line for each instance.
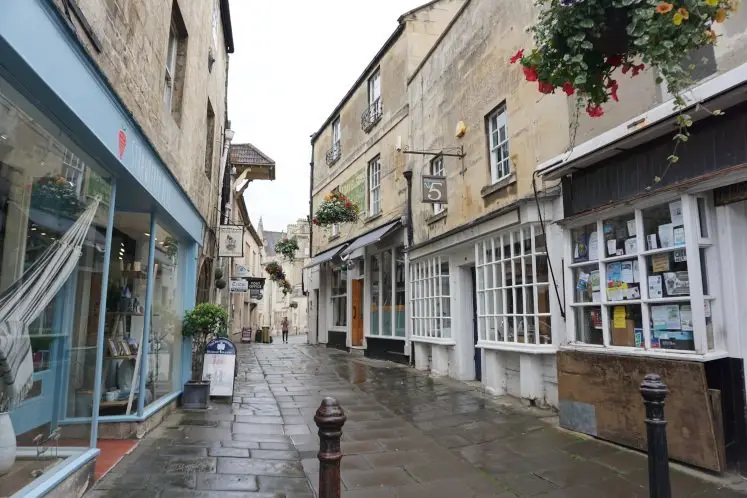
<point>635,250</point>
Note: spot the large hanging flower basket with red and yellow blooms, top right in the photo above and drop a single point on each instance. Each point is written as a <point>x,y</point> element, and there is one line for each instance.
<point>580,43</point>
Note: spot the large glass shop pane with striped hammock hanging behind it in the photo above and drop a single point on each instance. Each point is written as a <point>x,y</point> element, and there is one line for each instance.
<point>54,204</point>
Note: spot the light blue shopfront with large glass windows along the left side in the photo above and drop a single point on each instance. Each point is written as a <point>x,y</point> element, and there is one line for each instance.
<point>98,253</point>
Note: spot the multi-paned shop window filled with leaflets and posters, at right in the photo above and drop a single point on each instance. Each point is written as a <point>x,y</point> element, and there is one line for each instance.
<point>654,274</point>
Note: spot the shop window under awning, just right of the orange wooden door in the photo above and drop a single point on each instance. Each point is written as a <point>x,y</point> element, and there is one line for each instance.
<point>387,291</point>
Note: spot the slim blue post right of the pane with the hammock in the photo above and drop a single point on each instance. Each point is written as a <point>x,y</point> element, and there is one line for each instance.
<point>102,317</point>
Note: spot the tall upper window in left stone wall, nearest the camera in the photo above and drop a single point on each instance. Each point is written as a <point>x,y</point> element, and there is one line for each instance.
<point>174,68</point>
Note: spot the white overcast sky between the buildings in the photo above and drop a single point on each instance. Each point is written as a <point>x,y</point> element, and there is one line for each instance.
<point>294,61</point>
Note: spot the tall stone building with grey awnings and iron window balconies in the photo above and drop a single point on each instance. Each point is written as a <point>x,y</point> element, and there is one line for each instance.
<point>355,152</point>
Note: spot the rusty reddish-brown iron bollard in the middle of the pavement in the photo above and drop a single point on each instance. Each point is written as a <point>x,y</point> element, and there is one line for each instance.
<point>329,418</point>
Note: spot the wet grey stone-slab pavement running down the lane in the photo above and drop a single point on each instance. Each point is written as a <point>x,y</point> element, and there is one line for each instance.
<point>406,436</point>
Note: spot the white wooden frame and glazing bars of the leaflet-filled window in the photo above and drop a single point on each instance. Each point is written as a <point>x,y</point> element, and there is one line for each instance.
<point>706,344</point>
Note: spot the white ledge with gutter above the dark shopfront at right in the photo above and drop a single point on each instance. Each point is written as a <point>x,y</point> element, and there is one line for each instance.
<point>646,126</point>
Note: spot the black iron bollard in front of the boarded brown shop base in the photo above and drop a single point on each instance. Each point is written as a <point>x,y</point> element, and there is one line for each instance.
<point>654,392</point>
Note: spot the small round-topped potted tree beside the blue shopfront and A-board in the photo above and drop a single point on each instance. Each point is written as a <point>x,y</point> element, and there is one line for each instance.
<point>203,323</point>
